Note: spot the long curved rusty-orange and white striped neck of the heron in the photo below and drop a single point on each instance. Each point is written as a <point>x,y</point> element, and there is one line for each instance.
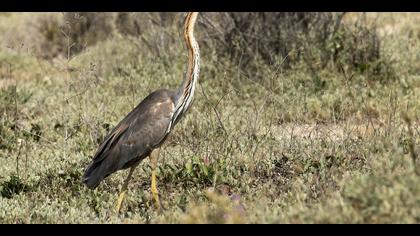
<point>186,90</point>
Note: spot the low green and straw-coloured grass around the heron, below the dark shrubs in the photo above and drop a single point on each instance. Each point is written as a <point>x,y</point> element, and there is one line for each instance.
<point>286,149</point>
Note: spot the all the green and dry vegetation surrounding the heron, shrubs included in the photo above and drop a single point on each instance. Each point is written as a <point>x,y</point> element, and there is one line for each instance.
<point>315,132</point>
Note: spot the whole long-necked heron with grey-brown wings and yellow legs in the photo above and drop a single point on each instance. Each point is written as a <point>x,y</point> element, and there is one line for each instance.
<point>141,133</point>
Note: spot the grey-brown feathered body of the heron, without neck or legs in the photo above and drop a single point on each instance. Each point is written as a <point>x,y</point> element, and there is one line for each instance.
<point>134,138</point>
